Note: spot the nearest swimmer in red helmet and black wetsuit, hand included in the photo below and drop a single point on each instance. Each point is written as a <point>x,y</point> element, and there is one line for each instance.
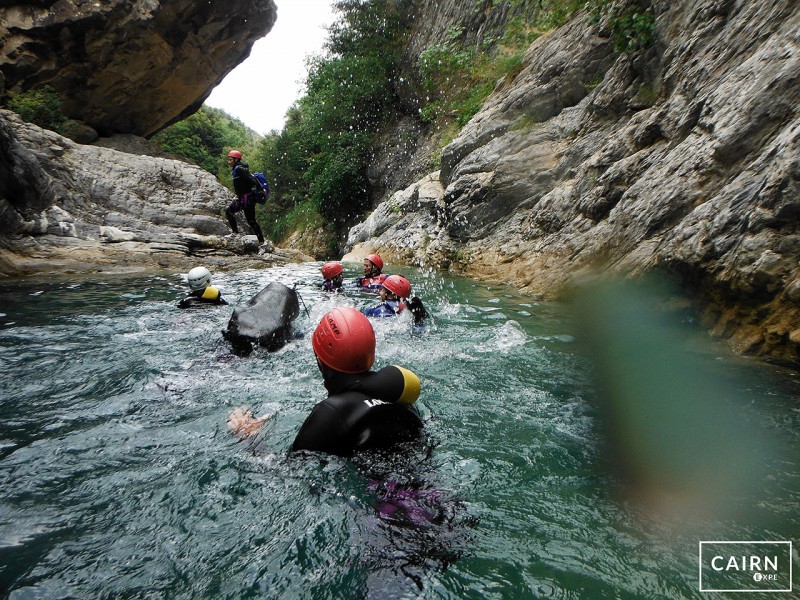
<point>364,409</point>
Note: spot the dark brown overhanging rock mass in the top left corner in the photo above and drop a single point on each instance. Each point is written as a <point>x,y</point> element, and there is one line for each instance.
<point>128,66</point>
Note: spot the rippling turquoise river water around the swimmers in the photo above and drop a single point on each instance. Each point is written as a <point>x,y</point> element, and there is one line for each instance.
<point>118,478</point>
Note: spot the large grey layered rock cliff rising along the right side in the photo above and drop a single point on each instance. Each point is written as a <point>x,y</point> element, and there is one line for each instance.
<point>683,157</point>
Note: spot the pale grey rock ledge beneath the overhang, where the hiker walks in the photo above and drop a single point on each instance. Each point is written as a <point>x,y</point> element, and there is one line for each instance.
<point>72,207</point>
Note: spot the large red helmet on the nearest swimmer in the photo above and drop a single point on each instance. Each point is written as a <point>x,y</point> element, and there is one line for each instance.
<point>345,341</point>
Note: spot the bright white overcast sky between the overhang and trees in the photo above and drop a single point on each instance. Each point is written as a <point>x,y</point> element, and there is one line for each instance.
<point>277,62</point>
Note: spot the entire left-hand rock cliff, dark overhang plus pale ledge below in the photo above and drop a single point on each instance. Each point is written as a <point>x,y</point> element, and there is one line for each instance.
<point>127,68</point>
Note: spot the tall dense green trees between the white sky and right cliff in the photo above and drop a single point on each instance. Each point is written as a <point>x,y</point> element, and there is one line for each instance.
<point>318,162</point>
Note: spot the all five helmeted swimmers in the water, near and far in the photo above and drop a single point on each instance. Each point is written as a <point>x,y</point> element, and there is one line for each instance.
<point>364,409</point>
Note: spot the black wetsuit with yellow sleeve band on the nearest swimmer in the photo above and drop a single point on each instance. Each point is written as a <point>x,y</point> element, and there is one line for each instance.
<point>363,411</point>
